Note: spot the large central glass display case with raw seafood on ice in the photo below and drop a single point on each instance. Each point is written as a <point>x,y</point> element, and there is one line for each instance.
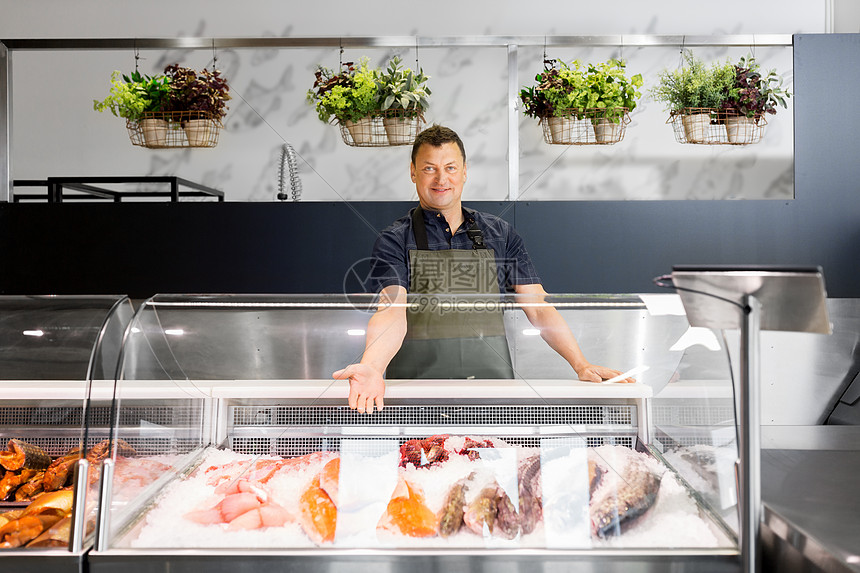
<point>252,457</point>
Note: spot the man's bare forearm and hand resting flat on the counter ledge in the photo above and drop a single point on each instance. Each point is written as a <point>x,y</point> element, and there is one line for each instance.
<point>556,333</point>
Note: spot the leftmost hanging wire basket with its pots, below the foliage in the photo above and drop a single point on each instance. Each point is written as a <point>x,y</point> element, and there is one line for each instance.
<point>170,129</point>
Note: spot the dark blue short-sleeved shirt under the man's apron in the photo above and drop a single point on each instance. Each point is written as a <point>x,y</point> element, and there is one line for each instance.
<point>390,264</point>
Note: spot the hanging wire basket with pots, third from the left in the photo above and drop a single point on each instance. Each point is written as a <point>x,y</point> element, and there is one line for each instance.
<point>586,127</point>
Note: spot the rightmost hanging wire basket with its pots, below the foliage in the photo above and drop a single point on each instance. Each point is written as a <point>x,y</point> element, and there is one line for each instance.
<point>710,126</point>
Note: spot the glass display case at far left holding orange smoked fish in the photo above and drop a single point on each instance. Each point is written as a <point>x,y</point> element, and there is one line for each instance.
<point>55,354</point>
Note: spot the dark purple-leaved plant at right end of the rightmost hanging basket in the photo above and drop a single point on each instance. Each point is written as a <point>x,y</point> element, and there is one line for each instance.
<point>754,94</point>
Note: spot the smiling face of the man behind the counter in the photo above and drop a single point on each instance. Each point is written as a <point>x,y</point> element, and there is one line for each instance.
<point>439,174</point>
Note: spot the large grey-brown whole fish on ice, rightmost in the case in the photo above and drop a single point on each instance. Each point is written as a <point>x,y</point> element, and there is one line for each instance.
<point>618,504</point>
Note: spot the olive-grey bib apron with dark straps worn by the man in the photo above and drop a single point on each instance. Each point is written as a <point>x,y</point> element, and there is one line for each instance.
<point>448,336</point>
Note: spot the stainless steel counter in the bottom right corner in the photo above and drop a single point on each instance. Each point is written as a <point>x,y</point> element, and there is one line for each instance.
<point>811,517</point>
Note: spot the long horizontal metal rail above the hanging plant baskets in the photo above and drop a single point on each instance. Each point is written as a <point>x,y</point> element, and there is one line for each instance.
<point>195,43</point>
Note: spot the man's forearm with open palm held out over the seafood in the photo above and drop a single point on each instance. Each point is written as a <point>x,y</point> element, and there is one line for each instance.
<point>385,332</point>
